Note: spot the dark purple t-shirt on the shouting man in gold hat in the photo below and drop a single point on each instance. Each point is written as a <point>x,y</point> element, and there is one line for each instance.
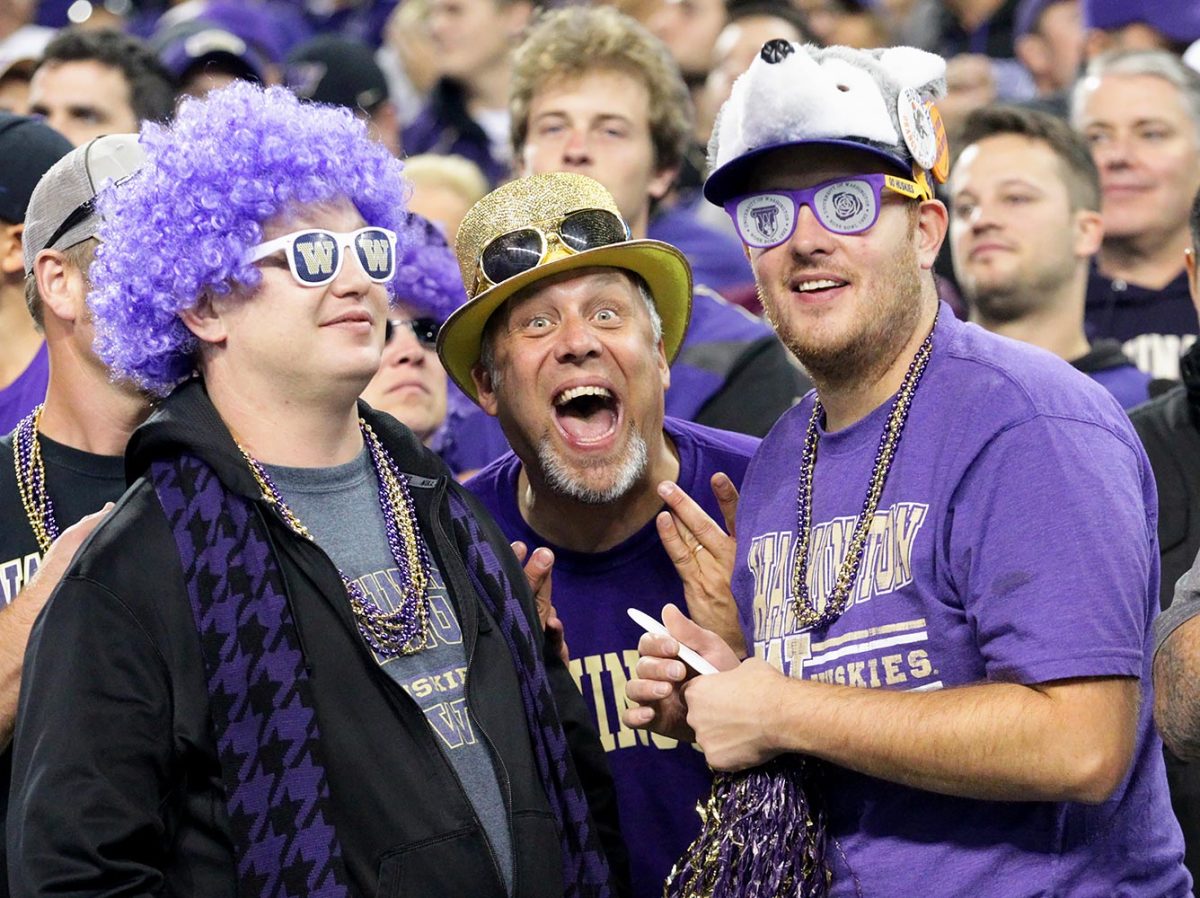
<point>658,781</point>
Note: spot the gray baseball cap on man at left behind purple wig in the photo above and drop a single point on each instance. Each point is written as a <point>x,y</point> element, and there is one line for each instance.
<point>62,211</point>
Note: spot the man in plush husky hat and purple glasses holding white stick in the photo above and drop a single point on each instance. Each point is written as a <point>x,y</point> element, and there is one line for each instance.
<point>959,525</point>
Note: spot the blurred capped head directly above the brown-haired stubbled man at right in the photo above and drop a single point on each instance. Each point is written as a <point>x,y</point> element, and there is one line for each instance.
<point>1051,46</point>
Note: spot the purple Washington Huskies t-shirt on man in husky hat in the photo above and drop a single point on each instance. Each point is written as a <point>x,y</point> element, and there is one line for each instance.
<point>1015,542</point>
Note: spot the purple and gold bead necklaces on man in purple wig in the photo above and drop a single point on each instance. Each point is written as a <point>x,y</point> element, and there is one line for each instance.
<point>389,633</point>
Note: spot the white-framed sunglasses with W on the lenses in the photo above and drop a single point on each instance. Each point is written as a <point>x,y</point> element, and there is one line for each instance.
<point>315,255</point>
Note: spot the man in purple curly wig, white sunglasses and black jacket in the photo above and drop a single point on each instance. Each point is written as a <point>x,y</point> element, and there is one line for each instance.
<point>297,660</point>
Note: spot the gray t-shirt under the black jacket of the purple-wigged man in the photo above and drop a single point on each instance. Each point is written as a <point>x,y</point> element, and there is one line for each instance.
<point>340,507</point>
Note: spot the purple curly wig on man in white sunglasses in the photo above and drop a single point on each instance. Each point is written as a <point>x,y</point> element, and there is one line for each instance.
<point>185,224</point>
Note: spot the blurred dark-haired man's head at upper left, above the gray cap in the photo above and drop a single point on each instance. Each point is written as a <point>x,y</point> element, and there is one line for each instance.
<point>93,83</point>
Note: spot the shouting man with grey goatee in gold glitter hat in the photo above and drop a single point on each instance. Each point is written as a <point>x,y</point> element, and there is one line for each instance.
<point>567,339</point>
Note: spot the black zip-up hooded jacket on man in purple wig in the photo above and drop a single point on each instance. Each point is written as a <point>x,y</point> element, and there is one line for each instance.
<point>117,787</point>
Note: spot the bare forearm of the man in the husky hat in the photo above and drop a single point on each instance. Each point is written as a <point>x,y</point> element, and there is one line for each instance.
<point>998,741</point>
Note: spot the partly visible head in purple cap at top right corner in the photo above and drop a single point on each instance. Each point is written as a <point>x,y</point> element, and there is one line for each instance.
<point>1149,26</point>
